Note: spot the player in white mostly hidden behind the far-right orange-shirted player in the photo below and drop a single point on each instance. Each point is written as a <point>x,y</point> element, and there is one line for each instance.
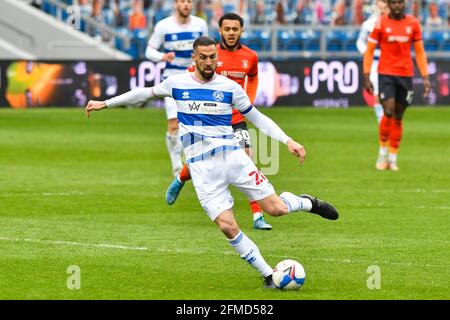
<point>380,8</point>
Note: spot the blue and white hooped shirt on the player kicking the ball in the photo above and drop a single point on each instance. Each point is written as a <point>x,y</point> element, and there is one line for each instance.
<point>204,112</point>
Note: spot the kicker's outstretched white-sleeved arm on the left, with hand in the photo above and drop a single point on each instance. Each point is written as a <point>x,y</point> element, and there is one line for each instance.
<point>134,96</point>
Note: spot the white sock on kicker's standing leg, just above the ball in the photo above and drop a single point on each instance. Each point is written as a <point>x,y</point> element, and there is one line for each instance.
<point>248,251</point>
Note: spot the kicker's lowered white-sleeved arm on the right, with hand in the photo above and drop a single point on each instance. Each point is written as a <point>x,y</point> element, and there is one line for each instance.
<point>270,128</point>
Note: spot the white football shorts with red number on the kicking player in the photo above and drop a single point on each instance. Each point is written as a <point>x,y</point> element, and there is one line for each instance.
<point>212,176</point>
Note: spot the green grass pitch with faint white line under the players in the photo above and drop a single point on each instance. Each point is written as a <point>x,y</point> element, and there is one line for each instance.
<point>90,193</point>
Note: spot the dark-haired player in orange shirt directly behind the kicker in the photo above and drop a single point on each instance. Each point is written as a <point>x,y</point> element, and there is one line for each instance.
<point>239,63</point>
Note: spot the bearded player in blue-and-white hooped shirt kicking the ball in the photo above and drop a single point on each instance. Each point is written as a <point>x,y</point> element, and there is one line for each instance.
<point>214,156</point>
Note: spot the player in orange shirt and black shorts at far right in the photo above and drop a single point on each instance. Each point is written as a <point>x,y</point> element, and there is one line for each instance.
<point>395,33</point>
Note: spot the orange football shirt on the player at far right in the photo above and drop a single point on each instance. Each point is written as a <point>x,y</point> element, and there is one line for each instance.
<point>395,38</point>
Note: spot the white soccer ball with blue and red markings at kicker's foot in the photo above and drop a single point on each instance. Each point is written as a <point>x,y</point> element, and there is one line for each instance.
<point>288,275</point>
